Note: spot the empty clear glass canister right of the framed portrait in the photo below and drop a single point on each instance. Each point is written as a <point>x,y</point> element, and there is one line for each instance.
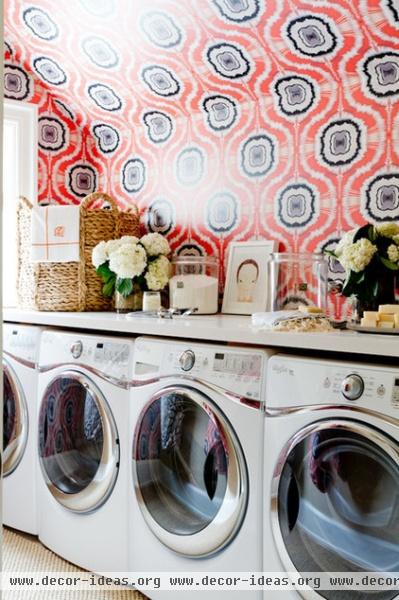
<point>297,279</point>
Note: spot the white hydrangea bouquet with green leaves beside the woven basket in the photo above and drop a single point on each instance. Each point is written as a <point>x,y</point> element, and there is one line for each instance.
<point>132,263</point>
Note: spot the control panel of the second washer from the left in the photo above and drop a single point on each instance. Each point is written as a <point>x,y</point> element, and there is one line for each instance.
<point>107,355</point>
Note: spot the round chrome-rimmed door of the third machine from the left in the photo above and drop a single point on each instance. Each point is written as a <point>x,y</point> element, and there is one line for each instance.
<point>189,471</point>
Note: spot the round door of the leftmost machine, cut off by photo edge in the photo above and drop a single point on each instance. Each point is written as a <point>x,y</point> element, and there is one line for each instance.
<point>15,420</point>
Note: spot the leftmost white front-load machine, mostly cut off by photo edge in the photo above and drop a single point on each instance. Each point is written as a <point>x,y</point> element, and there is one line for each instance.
<point>20,351</point>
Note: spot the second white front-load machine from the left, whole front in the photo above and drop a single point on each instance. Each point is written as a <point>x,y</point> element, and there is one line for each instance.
<point>83,450</point>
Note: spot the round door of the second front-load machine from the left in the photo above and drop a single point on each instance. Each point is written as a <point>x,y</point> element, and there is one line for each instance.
<point>78,442</point>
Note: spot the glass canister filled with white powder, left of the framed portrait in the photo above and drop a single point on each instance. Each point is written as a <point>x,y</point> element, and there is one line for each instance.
<point>195,283</point>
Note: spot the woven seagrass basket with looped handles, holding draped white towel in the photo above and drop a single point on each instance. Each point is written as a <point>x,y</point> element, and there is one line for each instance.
<point>71,286</point>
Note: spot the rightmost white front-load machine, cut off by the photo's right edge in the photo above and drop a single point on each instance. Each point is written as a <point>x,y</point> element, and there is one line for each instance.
<point>331,471</point>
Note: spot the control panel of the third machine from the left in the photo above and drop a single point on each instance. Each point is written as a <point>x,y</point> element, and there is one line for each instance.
<point>237,370</point>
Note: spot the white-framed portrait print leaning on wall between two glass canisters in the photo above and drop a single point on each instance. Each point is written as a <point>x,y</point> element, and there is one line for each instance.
<point>247,287</point>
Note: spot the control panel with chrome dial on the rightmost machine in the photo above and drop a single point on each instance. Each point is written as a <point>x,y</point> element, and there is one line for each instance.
<point>293,381</point>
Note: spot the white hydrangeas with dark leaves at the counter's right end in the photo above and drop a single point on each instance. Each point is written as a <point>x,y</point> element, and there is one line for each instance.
<point>370,257</point>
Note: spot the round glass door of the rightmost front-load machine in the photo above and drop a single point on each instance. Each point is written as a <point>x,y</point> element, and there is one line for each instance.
<point>338,502</point>
